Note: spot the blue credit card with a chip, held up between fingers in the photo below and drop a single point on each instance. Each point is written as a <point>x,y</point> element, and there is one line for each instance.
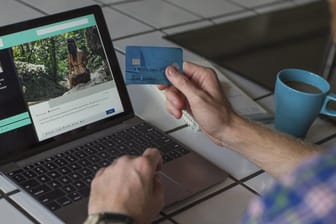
<point>146,65</point>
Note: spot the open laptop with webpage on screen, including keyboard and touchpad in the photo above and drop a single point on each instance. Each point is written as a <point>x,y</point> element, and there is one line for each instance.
<point>65,113</point>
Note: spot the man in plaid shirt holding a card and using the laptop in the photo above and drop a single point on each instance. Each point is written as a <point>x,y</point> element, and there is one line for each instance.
<point>129,188</point>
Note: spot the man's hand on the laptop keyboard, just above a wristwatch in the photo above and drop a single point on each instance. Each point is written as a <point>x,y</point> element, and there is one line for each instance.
<point>130,186</point>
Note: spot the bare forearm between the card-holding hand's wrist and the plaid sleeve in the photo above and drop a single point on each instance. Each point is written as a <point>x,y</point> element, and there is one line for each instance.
<point>276,153</point>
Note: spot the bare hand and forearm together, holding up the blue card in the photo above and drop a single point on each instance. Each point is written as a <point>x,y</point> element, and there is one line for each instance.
<point>199,92</point>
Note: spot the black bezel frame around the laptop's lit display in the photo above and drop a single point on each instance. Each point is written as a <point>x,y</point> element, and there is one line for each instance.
<point>116,71</point>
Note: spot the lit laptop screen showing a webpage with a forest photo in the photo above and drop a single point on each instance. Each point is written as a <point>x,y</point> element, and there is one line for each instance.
<point>55,78</point>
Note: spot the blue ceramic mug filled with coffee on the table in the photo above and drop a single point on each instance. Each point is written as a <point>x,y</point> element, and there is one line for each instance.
<point>296,107</point>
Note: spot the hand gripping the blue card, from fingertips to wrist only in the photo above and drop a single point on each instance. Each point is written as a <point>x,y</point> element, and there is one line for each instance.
<point>199,92</point>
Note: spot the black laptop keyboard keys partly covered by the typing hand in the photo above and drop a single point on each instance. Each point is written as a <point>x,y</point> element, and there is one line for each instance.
<point>65,178</point>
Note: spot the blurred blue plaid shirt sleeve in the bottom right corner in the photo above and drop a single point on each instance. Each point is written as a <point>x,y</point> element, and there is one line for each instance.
<point>307,196</point>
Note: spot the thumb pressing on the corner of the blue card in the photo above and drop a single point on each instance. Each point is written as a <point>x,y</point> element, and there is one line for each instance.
<point>181,82</point>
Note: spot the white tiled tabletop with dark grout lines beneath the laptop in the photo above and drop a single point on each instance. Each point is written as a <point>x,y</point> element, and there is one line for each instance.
<point>145,22</point>
